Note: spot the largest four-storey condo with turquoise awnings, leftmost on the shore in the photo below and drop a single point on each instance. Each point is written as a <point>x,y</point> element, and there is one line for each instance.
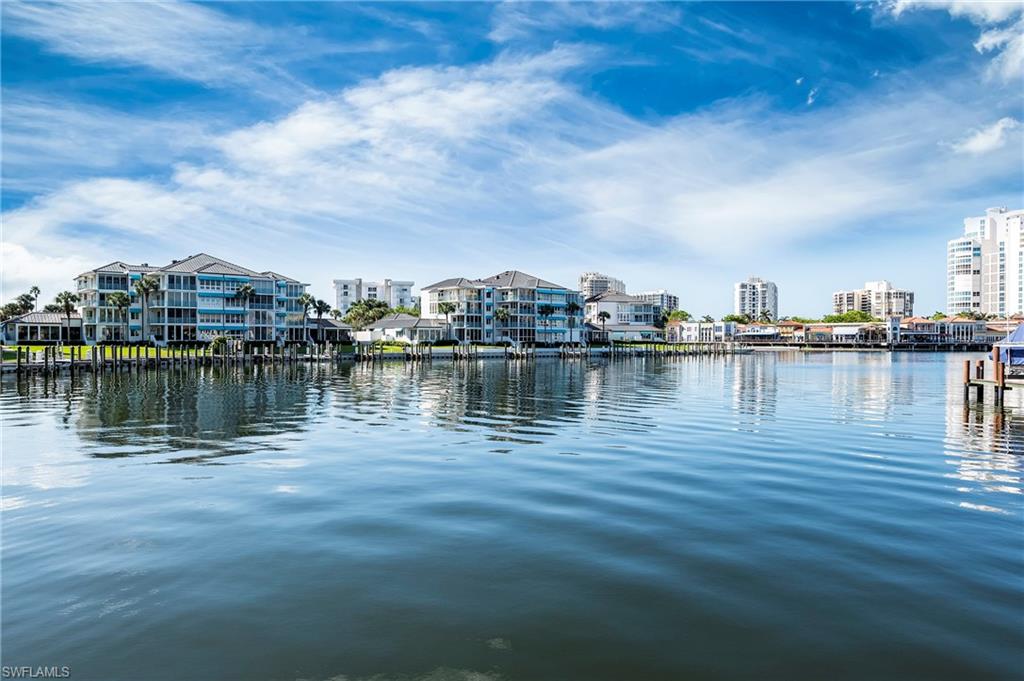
<point>197,301</point>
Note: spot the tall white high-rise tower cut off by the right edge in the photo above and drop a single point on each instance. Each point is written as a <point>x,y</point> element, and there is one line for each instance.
<point>986,267</point>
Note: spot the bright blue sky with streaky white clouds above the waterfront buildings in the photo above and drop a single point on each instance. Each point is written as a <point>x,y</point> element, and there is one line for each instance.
<point>684,147</point>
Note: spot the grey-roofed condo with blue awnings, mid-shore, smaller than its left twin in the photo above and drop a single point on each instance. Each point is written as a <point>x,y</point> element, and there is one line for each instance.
<point>513,307</point>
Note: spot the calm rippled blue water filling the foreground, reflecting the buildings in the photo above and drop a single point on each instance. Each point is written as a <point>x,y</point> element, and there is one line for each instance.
<point>823,517</point>
